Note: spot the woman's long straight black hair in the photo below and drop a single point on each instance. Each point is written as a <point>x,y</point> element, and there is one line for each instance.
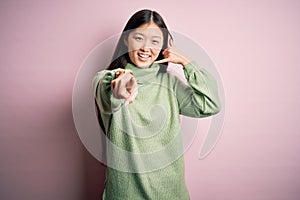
<point>120,57</point>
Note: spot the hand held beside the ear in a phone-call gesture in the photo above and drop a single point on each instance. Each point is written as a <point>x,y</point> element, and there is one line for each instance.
<point>174,55</point>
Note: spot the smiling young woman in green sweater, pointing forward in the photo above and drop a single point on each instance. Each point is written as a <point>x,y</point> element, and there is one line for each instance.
<point>139,106</point>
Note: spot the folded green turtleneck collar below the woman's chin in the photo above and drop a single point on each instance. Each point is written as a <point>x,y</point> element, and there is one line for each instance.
<point>144,74</point>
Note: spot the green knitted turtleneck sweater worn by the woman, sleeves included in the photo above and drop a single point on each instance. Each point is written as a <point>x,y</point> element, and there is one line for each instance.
<point>144,146</point>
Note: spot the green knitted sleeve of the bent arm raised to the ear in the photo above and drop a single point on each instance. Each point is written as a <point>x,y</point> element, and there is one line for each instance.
<point>200,97</point>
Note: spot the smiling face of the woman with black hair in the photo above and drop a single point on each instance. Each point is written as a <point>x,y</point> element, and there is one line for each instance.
<point>144,44</point>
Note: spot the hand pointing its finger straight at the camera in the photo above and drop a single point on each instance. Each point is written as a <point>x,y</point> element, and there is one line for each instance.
<point>125,87</point>
